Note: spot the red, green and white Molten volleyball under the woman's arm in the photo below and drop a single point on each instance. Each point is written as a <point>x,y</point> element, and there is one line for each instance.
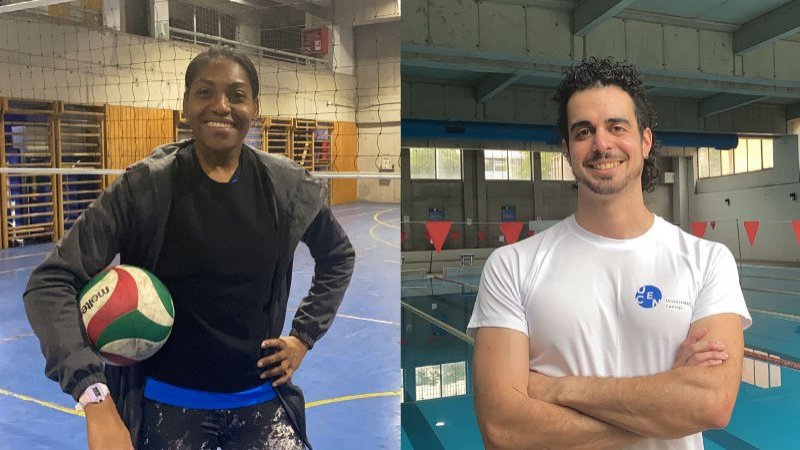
<point>128,314</point>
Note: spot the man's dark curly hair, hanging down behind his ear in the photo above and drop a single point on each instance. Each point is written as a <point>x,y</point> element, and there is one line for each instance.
<point>594,72</point>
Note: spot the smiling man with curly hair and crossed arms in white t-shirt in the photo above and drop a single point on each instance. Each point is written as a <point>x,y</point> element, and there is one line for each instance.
<point>614,328</point>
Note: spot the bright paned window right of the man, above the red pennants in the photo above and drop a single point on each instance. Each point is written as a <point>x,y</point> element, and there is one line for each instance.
<point>752,155</point>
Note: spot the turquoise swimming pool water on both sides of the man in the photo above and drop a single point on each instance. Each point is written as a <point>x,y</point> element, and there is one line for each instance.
<point>436,312</point>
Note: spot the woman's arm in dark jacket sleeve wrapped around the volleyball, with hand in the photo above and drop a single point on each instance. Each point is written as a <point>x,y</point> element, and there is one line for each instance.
<point>50,296</point>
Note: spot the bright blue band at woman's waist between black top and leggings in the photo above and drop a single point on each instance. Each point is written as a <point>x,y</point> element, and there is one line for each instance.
<point>190,398</point>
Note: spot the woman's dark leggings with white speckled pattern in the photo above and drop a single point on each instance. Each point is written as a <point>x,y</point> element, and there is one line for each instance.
<point>264,426</point>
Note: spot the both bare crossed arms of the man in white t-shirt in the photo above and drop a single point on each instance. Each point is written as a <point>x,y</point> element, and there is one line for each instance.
<point>518,409</point>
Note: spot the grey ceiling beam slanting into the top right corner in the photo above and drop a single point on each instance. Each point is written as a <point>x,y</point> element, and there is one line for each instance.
<point>768,28</point>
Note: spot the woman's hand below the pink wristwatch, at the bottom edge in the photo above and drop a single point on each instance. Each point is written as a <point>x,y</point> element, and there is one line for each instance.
<point>104,427</point>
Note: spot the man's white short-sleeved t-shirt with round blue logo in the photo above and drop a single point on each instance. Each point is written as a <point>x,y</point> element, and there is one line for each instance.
<point>595,306</point>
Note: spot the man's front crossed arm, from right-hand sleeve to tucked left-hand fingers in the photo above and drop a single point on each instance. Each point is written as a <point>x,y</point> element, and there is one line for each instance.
<point>672,404</point>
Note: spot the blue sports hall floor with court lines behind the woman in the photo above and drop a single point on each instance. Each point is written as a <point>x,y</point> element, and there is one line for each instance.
<point>350,379</point>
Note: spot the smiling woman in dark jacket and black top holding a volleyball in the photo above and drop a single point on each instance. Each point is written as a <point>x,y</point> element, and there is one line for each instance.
<point>218,223</point>
